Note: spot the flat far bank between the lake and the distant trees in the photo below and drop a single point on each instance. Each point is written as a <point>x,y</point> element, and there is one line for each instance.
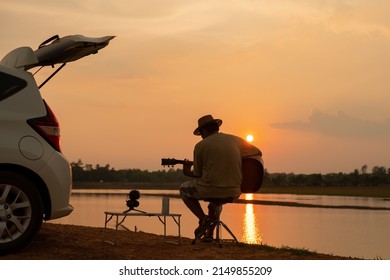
<point>364,191</point>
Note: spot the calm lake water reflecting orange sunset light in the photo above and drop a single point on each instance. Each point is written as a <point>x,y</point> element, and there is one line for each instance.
<point>348,232</point>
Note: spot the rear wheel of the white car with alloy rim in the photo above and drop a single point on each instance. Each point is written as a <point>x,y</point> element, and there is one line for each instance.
<point>21,211</point>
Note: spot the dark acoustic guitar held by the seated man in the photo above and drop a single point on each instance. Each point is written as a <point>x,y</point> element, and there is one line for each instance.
<point>252,172</point>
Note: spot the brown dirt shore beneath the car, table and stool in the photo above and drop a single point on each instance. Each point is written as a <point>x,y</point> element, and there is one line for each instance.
<point>69,242</point>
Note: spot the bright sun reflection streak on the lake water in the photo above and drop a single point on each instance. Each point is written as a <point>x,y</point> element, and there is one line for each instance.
<point>251,233</point>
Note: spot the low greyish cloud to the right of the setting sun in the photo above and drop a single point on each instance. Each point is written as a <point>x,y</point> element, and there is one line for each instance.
<point>340,125</point>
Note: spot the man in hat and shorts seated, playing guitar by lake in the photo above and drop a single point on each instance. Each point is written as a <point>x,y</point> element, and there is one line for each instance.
<point>216,169</point>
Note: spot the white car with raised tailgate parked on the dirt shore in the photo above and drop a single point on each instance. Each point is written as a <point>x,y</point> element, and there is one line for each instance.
<point>35,178</point>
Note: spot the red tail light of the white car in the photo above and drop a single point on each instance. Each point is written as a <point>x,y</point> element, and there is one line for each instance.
<point>48,127</point>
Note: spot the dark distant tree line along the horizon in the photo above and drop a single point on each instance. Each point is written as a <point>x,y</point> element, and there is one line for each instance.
<point>379,175</point>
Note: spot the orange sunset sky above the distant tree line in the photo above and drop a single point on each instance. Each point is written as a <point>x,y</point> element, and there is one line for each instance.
<point>308,79</point>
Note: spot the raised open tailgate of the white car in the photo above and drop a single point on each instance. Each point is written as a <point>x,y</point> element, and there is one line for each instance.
<point>55,50</point>
